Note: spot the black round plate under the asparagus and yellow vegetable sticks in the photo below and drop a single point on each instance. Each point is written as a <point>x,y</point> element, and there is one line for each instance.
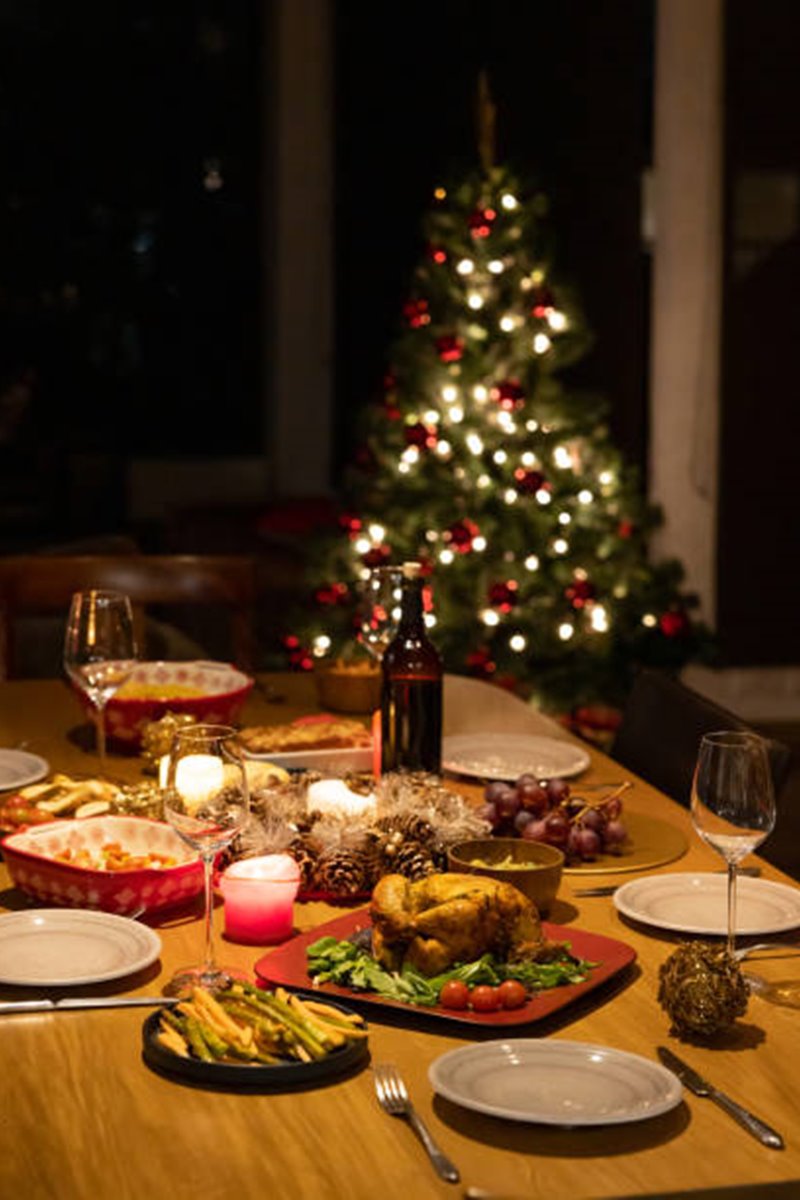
<point>264,1077</point>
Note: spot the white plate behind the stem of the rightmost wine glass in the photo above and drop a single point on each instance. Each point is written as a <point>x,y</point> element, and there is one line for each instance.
<point>699,904</point>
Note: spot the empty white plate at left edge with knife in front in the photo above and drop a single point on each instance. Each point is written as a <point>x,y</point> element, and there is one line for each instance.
<point>63,947</point>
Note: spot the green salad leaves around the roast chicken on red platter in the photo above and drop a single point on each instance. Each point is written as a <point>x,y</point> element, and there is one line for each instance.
<point>342,963</point>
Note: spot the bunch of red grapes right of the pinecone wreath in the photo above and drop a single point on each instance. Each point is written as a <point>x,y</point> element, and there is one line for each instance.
<point>548,812</point>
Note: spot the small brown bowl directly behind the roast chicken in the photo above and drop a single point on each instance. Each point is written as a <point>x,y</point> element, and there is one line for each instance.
<point>537,872</point>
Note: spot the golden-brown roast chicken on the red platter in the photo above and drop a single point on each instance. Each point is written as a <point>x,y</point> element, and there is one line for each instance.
<point>443,920</point>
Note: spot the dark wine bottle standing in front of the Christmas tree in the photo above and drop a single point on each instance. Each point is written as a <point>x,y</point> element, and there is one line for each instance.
<point>411,701</point>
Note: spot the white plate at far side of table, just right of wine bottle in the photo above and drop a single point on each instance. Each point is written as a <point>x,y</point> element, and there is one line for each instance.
<point>510,755</point>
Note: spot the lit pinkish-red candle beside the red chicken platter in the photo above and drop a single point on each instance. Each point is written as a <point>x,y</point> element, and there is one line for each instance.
<point>260,898</point>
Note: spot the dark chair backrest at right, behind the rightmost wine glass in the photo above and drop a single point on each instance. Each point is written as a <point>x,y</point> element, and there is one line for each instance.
<point>661,729</point>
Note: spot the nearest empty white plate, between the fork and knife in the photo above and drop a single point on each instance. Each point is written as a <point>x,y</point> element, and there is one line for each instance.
<point>555,1083</point>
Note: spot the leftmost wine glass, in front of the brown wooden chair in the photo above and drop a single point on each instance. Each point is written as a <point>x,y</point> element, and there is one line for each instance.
<point>100,651</point>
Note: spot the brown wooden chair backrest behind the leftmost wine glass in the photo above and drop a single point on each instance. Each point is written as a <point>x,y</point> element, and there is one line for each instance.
<point>43,585</point>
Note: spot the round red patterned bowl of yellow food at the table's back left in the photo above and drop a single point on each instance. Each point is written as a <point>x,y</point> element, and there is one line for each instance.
<point>212,693</point>
